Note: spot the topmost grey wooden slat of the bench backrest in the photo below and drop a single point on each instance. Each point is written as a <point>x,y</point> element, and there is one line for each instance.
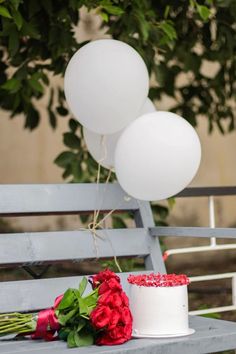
<point>40,199</point>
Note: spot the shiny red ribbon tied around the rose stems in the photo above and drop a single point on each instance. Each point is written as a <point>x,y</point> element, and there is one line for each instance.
<point>47,323</point>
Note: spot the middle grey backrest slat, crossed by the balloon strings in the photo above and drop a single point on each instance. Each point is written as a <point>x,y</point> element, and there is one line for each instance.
<point>38,247</point>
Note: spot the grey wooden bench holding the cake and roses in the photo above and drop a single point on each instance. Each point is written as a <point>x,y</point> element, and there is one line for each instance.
<point>27,249</point>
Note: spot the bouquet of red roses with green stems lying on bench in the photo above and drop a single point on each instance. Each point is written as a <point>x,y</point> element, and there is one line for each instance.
<point>102,317</point>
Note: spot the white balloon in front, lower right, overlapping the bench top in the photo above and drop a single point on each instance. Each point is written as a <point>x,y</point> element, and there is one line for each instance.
<point>157,156</point>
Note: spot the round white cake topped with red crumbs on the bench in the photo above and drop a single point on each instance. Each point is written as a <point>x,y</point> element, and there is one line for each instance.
<point>159,305</point>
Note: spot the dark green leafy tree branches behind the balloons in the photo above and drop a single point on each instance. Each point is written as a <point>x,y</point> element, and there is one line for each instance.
<point>37,39</point>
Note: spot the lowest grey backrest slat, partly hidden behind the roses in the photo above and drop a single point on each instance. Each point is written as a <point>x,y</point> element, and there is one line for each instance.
<point>30,295</point>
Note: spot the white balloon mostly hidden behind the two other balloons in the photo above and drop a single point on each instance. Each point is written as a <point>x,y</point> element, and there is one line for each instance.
<point>102,147</point>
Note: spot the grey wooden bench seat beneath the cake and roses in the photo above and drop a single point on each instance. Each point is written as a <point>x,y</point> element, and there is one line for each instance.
<point>210,336</point>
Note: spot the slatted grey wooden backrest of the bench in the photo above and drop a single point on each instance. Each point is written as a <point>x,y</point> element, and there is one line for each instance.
<point>26,249</point>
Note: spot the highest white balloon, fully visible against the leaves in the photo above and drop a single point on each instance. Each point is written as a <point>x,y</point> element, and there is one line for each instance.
<point>106,84</point>
